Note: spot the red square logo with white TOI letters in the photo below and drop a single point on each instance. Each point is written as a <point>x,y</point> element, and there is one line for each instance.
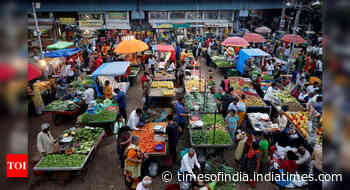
<point>17,165</point>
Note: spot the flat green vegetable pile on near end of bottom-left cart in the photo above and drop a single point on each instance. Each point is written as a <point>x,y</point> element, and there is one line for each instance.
<point>61,161</point>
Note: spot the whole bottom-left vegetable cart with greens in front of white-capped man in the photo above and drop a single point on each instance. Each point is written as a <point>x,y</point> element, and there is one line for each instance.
<point>77,147</point>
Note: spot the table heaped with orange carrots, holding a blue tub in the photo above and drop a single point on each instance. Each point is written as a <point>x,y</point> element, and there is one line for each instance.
<point>149,139</point>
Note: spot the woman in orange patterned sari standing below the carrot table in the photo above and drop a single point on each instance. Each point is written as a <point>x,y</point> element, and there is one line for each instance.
<point>133,162</point>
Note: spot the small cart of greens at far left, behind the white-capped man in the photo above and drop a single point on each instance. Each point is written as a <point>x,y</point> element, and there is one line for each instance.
<point>64,108</point>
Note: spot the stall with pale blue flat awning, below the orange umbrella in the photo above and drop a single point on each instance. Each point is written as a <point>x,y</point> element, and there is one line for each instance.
<point>109,71</point>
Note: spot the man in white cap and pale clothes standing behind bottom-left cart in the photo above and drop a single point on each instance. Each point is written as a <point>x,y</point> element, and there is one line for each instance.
<point>45,141</point>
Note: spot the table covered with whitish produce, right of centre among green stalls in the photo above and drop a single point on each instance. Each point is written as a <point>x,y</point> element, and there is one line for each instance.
<point>260,122</point>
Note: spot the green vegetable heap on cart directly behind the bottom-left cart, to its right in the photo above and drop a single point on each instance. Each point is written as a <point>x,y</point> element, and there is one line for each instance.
<point>103,116</point>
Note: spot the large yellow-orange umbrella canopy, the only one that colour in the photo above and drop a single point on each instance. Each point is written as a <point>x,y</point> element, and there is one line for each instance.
<point>131,46</point>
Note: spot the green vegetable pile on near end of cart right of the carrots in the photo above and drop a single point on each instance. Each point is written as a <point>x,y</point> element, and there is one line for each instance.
<point>207,137</point>
